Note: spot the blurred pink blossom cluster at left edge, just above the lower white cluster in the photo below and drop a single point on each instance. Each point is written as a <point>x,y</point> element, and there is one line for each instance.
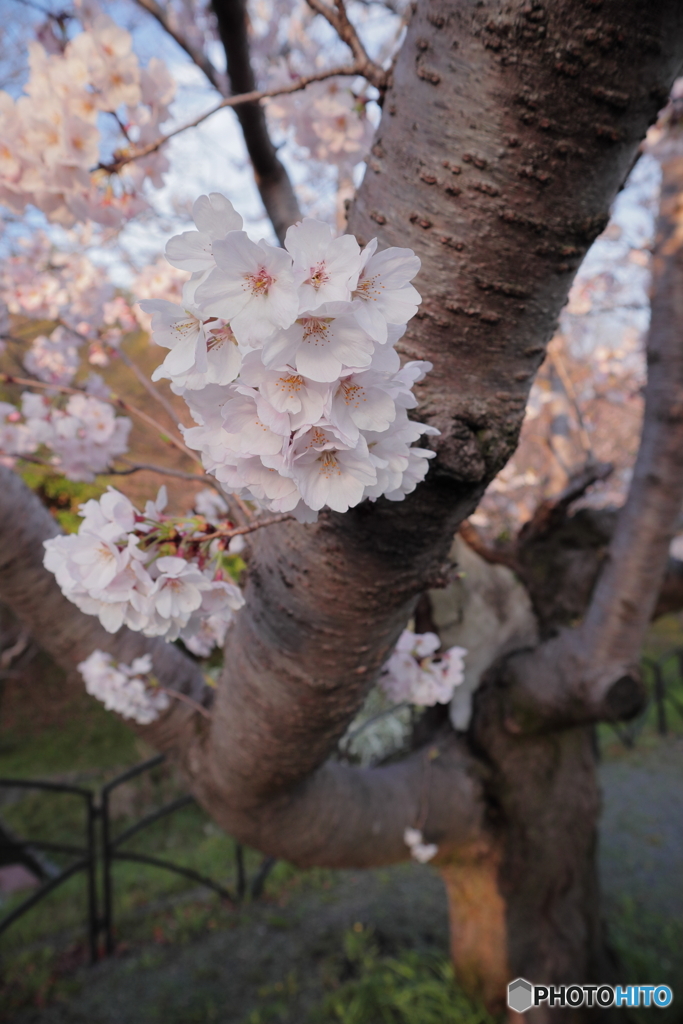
<point>83,438</point>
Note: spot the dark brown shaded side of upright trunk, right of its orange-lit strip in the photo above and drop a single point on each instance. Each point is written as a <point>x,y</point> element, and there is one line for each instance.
<point>545,804</point>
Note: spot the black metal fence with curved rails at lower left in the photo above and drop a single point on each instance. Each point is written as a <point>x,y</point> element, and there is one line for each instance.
<point>101,848</point>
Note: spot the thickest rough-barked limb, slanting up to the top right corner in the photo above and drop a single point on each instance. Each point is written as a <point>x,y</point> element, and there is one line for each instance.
<point>528,181</point>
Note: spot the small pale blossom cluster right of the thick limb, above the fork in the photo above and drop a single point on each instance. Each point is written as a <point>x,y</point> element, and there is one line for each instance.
<point>413,674</point>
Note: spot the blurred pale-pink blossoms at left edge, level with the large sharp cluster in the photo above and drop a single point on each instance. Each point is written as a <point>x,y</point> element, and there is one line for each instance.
<point>69,289</point>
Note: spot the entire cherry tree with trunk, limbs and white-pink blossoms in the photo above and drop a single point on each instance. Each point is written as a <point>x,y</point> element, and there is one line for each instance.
<point>351,395</point>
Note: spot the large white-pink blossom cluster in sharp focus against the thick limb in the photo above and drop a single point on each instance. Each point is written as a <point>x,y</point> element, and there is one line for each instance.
<point>286,359</point>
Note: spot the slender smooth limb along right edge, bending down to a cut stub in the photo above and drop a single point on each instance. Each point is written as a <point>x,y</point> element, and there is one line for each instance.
<point>599,675</point>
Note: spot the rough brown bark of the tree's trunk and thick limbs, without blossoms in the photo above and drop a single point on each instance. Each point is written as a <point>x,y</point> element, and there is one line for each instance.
<point>506,133</point>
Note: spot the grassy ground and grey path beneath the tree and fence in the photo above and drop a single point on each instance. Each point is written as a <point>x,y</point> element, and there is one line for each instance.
<point>320,948</point>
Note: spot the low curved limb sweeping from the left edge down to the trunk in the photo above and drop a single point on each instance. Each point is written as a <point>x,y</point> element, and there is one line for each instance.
<point>340,817</point>
